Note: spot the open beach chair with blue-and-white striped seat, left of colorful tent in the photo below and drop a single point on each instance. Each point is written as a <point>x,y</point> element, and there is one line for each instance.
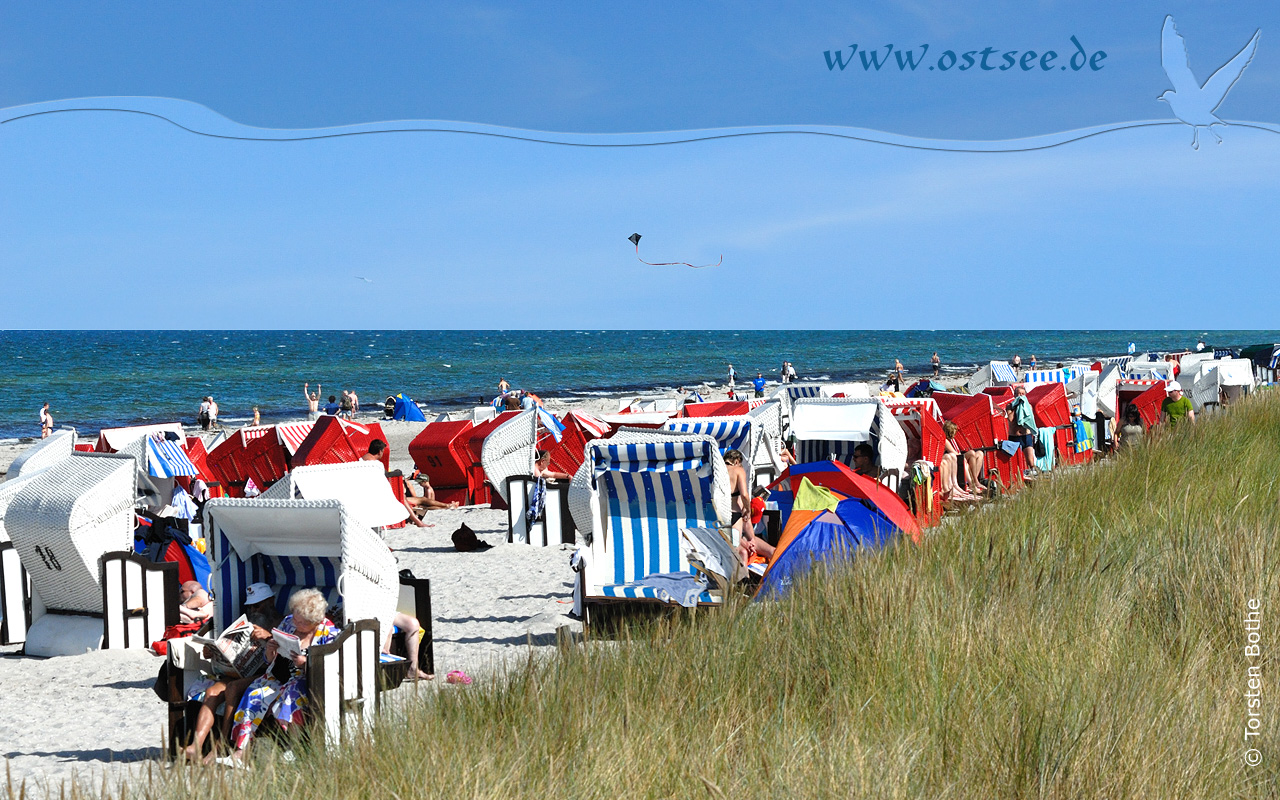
<point>633,499</point>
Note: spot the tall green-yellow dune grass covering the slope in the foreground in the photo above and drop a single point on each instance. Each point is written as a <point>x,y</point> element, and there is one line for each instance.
<point>1084,639</point>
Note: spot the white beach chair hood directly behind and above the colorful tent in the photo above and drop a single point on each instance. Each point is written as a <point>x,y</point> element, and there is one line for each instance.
<point>831,428</point>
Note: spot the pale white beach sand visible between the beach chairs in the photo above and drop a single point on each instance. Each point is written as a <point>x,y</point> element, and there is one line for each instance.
<point>95,715</point>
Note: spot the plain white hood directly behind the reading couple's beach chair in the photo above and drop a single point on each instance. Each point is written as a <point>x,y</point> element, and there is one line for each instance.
<point>360,486</point>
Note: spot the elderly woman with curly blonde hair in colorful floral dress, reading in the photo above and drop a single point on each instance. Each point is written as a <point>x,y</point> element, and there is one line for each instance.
<point>284,691</point>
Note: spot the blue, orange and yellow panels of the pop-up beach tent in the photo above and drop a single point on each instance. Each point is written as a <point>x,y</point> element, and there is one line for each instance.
<point>825,527</point>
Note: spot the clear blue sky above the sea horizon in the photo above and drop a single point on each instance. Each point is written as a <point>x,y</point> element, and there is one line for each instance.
<point>1128,230</point>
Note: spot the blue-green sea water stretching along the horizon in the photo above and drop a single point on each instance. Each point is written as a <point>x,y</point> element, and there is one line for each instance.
<point>103,380</point>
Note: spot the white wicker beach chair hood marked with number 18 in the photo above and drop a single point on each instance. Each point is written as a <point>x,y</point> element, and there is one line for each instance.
<point>65,519</point>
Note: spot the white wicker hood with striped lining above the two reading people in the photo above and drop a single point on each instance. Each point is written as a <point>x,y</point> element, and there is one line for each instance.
<point>300,545</point>
